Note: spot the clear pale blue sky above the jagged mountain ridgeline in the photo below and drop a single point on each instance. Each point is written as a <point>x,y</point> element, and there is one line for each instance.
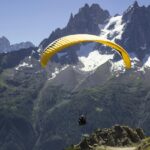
<point>33,20</point>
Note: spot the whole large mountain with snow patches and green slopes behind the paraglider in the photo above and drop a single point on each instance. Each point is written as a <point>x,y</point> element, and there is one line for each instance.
<point>39,108</point>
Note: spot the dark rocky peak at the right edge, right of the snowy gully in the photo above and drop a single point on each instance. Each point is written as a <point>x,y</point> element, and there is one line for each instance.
<point>136,37</point>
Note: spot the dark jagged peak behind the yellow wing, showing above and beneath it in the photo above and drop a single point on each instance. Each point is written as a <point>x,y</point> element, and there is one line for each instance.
<point>87,20</point>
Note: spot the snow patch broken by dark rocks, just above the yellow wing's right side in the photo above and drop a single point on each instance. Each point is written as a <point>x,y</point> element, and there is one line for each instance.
<point>113,29</point>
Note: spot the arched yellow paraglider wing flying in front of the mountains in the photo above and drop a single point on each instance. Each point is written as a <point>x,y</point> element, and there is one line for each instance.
<point>70,40</point>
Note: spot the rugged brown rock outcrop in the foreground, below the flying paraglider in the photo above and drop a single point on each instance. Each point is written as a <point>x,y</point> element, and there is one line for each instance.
<point>115,136</point>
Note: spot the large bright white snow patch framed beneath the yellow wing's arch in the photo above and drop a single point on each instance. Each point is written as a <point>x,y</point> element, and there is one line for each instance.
<point>94,60</point>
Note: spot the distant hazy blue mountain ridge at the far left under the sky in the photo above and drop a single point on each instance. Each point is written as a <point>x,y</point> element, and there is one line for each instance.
<point>5,45</point>
